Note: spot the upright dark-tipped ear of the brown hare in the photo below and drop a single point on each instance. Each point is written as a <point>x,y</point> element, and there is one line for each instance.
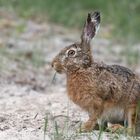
<point>91,27</point>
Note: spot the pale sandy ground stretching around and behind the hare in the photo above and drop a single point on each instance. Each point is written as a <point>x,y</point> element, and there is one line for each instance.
<point>28,94</point>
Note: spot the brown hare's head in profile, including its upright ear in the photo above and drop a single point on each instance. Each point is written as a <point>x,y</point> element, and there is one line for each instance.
<point>78,55</point>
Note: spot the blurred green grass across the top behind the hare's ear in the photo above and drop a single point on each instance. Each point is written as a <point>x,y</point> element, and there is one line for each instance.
<point>122,17</point>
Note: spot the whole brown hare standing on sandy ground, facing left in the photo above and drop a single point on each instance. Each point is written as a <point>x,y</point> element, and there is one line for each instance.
<point>104,91</point>
